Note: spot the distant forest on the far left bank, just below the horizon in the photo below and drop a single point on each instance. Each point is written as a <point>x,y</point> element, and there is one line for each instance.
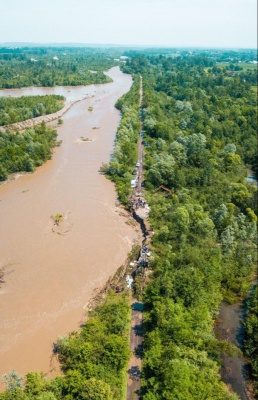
<point>54,66</point>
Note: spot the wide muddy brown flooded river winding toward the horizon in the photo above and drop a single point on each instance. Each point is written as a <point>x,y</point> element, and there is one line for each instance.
<point>51,271</point>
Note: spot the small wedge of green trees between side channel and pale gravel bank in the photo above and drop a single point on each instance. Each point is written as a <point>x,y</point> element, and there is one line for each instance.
<point>26,107</point>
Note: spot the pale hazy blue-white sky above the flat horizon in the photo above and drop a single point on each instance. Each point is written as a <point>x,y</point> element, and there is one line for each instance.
<point>203,23</point>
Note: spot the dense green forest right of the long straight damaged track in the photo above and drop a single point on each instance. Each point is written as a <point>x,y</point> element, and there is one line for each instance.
<point>200,131</point>
